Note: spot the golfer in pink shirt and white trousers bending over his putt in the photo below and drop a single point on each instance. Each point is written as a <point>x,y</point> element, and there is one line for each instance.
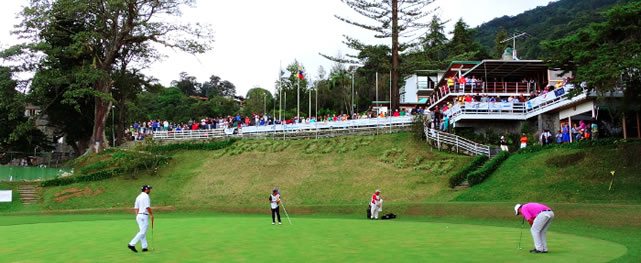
<point>539,216</point>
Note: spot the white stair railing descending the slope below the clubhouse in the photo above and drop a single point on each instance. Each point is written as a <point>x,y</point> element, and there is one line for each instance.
<point>456,143</point>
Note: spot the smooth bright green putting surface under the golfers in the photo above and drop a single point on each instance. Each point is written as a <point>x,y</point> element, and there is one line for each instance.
<point>222,238</point>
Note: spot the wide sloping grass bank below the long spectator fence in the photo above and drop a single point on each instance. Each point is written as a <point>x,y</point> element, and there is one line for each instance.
<point>324,172</point>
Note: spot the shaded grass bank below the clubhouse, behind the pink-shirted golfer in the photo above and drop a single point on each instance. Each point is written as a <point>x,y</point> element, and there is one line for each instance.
<point>573,175</point>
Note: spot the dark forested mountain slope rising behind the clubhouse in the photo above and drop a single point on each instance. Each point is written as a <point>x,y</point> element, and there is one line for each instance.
<point>556,20</point>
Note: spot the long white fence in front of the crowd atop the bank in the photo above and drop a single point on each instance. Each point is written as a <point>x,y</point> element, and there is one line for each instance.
<point>291,131</point>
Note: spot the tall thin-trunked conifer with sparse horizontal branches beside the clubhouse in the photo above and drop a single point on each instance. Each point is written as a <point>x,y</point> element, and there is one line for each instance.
<point>395,19</point>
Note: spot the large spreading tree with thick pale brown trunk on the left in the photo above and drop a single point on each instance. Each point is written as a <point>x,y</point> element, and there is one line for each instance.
<point>110,30</point>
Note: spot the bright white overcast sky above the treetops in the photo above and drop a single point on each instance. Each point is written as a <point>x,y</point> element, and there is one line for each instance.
<point>253,37</point>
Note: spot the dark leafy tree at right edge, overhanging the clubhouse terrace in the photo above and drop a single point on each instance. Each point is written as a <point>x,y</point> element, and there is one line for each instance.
<point>605,55</point>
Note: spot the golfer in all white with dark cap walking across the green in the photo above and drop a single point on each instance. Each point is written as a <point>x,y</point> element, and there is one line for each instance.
<point>142,207</point>
